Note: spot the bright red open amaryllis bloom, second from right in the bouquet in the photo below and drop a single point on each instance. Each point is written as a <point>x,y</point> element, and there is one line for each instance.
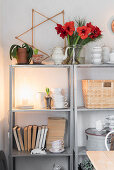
<point>83,31</point>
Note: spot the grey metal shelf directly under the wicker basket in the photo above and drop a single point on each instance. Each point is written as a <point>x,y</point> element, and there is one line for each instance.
<point>83,109</point>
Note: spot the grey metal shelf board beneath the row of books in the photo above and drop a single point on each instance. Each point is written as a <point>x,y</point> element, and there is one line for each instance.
<point>16,153</point>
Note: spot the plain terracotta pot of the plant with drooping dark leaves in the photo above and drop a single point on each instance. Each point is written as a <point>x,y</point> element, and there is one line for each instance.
<point>22,56</point>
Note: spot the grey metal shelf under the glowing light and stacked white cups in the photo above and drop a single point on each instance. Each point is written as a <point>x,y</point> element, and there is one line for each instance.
<point>41,110</point>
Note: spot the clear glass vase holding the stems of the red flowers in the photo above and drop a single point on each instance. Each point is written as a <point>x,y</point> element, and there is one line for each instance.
<point>75,55</point>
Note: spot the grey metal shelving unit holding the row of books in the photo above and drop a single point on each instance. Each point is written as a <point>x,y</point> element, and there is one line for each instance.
<point>14,154</point>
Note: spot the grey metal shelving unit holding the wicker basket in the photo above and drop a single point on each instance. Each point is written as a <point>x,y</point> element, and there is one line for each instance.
<point>81,151</point>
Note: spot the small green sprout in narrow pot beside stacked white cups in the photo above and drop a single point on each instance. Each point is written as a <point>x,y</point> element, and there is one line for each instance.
<point>48,99</point>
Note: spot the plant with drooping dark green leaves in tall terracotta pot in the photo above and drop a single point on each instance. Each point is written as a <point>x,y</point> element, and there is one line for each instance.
<point>23,53</point>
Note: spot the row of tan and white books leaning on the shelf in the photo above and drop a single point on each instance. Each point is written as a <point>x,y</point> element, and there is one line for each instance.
<point>30,137</point>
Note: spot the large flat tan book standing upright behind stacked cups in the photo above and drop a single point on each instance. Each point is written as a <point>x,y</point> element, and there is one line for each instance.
<point>56,130</point>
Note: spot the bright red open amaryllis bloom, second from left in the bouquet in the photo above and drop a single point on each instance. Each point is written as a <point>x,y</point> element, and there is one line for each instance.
<point>69,27</point>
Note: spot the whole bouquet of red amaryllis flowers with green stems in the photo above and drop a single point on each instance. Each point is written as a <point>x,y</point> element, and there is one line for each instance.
<point>81,34</point>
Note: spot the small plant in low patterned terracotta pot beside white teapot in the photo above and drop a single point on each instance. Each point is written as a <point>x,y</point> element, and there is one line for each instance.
<point>36,57</point>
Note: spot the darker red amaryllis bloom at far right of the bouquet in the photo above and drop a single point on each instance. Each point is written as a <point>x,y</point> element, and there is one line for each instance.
<point>95,32</point>
